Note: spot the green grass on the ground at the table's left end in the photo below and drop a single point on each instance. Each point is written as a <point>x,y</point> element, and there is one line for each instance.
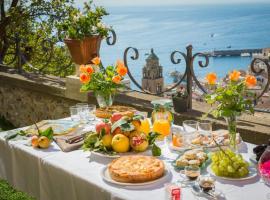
<point>6,191</point>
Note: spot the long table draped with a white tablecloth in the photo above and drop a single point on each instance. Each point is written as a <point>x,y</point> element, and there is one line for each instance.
<point>52,174</point>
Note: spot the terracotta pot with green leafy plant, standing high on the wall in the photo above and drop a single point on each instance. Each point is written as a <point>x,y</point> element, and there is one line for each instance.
<point>83,32</point>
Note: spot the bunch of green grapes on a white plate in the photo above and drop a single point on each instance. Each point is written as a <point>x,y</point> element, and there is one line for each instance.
<point>228,164</point>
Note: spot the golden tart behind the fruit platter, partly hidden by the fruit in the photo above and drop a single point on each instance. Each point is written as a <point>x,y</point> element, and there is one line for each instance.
<point>109,111</point>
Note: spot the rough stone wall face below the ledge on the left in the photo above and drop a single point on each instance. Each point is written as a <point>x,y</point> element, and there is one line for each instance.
<point>23,107</point>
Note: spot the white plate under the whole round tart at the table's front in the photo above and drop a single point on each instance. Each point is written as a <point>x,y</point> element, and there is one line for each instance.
<point>106,176</point>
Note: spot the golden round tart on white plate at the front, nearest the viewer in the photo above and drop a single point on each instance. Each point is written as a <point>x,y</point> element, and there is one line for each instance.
<point>136,169</point>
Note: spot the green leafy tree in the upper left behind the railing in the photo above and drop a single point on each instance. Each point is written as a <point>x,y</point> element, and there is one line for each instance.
<point>35,22</point>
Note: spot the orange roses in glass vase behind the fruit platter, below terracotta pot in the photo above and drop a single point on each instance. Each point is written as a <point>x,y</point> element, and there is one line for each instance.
<point>103,82</point>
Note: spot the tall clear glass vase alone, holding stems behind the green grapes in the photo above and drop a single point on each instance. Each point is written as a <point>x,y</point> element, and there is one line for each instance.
<point>232,124</point>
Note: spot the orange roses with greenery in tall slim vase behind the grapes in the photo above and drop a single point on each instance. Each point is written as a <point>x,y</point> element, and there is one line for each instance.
<point>231,99</point>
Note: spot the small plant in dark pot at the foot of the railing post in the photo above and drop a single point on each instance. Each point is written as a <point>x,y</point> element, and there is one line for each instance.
<point>180,100</point>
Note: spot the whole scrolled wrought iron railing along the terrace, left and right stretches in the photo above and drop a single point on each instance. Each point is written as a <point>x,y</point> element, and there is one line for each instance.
<point>20,58</point>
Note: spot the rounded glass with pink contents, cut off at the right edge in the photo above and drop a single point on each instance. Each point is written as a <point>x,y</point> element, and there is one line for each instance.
<point>264,166</point>
